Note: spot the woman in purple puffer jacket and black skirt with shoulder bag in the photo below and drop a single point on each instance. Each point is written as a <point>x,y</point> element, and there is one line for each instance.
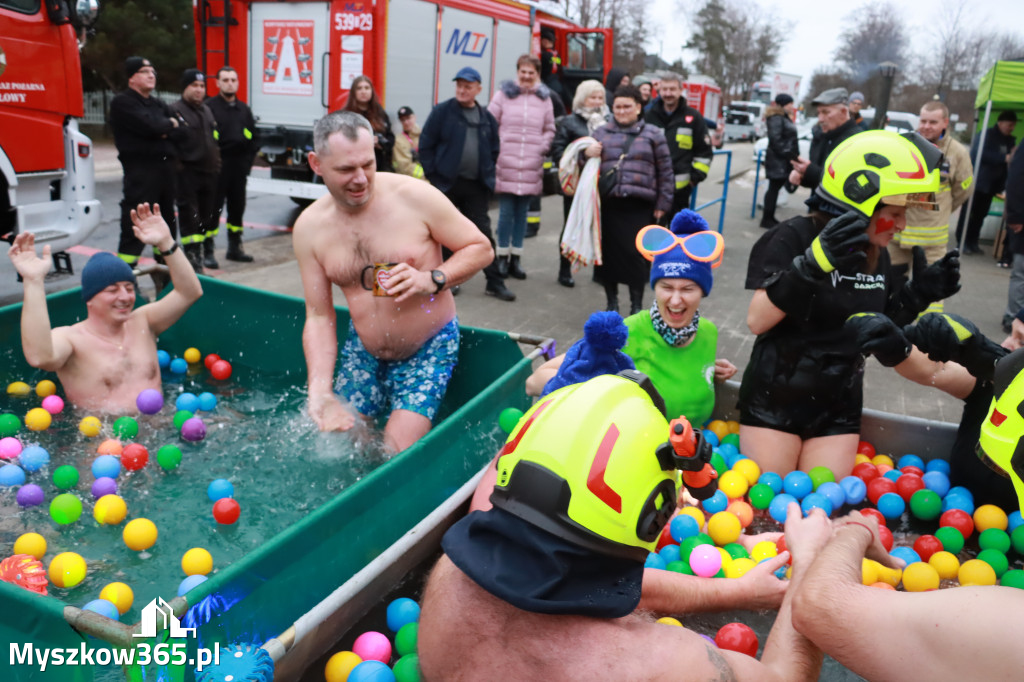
<point>636,185</point>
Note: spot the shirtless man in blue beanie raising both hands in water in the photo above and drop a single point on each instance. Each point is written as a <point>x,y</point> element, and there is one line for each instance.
<point>108,359</point>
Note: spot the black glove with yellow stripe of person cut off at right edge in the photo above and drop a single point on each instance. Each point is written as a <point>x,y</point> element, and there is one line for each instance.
<point>947,337</point>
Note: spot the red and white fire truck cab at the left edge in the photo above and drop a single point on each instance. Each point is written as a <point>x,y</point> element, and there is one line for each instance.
<point>48,184</point>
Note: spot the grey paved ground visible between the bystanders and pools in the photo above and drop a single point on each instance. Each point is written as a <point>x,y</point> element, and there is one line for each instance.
<point>546,309</point>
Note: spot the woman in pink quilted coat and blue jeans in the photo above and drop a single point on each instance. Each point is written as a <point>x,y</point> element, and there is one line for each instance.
<point>526,129</point>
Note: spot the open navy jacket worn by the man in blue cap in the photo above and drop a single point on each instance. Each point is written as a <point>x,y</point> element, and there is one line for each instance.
<point>443,139</point>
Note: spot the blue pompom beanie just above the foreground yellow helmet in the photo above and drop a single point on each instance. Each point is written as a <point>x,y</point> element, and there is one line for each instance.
<point>599,353</point>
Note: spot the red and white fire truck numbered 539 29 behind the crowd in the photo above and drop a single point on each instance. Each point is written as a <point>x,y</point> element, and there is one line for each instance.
<point>296,62</point>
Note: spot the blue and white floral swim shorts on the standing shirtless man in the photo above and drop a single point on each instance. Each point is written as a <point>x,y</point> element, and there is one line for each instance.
<point>417,383</point>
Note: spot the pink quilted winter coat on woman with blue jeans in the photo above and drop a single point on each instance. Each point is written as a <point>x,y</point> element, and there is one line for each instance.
<point>526,129</point>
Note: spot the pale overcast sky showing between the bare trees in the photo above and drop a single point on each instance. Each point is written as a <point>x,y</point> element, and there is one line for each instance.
<point>812,44</point>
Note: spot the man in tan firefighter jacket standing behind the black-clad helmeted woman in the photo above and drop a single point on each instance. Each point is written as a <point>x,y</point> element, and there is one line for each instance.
<point>930,230</point>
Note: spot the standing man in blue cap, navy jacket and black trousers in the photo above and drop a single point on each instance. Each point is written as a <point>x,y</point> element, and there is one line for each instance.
<point>458,150</point>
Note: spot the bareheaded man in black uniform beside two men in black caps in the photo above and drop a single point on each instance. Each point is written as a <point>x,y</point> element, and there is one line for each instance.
<point>236,135</point>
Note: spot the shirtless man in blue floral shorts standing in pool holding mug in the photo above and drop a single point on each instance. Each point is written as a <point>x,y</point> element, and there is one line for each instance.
<point>411,336</point>
